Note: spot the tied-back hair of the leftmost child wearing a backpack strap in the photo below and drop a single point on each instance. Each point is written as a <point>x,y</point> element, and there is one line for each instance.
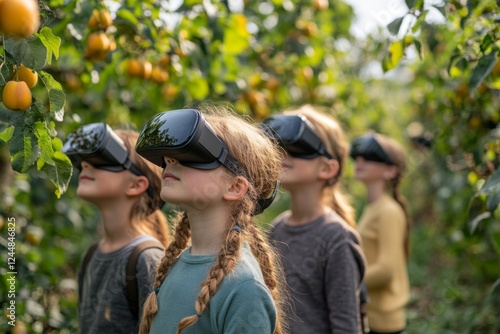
<point>146,215</point>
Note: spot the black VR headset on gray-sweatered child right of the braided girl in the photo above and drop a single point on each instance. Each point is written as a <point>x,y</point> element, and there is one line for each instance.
<point>295,134</point>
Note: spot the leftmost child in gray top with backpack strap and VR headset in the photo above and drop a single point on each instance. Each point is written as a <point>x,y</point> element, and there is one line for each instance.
<point>125,188</point>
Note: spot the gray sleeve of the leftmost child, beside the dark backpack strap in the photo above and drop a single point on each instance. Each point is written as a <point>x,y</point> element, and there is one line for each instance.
<point>147,264</point>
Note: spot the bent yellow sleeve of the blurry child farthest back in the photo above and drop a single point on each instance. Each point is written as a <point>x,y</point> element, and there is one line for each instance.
<point>391,231</point>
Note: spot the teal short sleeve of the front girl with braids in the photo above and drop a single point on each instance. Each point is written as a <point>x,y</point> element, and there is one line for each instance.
<point>248,309</point>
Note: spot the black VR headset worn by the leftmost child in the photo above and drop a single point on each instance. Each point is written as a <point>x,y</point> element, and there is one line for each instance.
<point>97,144</point>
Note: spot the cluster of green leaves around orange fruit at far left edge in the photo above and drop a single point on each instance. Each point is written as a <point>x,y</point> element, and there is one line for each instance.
<point>32,135</point>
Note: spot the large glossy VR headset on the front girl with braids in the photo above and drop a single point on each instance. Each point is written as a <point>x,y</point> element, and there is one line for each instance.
<point>185,136</point>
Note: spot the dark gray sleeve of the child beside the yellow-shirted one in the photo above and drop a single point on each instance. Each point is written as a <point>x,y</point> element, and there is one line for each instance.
<point>342,280</point>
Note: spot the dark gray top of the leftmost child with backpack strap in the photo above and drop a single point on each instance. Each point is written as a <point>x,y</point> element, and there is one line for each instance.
<point>102,302</point>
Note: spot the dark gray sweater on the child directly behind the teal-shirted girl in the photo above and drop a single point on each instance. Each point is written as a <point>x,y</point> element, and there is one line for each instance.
<point>324,267</point>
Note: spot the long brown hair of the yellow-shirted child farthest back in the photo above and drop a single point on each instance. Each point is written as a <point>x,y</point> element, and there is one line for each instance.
<point>398,156</point>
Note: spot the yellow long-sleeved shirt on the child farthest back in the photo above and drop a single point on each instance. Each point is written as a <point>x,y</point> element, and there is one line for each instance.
<point>382,227</point>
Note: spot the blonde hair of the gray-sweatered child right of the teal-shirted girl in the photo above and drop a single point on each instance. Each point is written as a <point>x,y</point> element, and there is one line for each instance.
<point>332,135</point>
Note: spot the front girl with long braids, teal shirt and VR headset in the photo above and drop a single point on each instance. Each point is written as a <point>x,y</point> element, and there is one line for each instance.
<point>219,274</point>
